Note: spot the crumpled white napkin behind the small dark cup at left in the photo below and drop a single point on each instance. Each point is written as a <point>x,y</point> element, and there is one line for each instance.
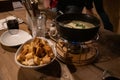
<point>3,24</point>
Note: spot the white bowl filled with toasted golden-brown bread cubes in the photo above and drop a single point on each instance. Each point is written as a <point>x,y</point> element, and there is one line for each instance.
<point>35,53</point>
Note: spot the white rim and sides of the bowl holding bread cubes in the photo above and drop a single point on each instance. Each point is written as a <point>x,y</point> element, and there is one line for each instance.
<point>52,45</point>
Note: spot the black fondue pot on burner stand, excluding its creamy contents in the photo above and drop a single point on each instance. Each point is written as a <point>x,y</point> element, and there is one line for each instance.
<point>77,35</point>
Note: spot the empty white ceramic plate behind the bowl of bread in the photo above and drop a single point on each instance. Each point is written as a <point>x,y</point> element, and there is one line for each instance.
<point>17,39</point>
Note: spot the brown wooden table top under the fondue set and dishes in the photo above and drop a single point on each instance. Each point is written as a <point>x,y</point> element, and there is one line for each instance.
<point>109,59</point>
